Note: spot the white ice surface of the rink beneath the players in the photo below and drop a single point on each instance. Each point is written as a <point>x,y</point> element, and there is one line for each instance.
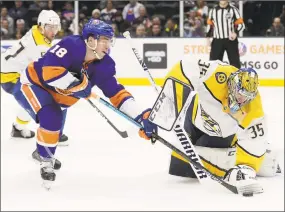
<point>102,171</point>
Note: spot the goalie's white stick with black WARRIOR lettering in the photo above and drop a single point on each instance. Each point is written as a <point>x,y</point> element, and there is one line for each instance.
<point>187,143</point>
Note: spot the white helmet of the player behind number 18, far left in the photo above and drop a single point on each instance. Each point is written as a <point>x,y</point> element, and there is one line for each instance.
<point>49,17</point>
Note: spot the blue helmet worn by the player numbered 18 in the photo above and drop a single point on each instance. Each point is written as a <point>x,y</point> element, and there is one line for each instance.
<point>97,28</point>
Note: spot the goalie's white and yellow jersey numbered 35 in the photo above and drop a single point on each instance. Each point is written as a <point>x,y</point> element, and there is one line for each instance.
<point>212,115</point>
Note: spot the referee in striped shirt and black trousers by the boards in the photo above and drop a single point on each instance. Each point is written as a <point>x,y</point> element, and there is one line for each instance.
<point>224,23</point>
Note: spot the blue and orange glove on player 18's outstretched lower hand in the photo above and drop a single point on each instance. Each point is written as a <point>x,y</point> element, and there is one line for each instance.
<point>148,127</point>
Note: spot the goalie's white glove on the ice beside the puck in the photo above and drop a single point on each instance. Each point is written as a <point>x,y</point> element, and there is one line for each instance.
<point>244,178</point>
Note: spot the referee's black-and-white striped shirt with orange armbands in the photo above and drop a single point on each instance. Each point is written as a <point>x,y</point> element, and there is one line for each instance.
<point>222,21</point>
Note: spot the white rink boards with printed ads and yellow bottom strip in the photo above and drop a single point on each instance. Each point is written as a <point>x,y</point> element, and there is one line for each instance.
<point>265,55</point>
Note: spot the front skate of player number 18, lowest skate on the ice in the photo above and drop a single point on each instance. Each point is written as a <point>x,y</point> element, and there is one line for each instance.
<point>47,172</point>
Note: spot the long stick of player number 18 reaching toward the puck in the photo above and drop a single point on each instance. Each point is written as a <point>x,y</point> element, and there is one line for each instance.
<point>172,147</point>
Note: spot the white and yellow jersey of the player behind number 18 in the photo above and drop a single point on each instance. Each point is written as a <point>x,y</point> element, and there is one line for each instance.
<point>15,60</point>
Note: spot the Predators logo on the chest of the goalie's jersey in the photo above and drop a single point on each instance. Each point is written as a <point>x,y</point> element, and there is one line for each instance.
<point>210,124</point>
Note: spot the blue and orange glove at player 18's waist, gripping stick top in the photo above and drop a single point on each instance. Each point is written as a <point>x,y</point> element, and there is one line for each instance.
<point>79,89</point>
